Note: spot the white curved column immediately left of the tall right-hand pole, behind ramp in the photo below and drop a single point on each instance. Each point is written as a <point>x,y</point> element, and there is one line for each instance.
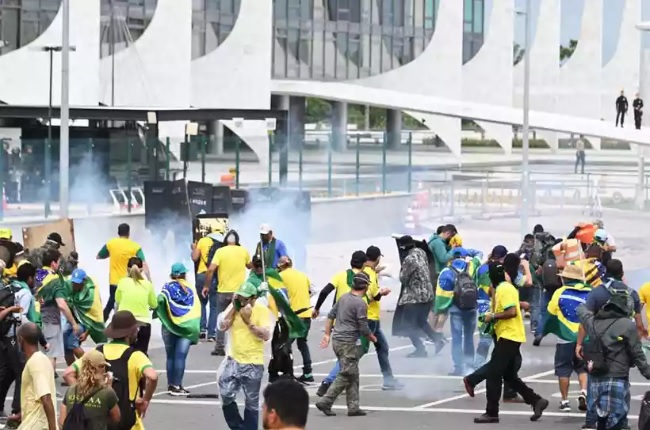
<point>495,56</point>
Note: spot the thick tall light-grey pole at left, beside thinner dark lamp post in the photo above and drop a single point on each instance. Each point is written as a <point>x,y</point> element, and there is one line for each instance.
<point>64,140</point>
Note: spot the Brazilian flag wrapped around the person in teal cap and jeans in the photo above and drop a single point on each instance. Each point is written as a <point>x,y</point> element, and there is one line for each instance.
<point>179,310</point>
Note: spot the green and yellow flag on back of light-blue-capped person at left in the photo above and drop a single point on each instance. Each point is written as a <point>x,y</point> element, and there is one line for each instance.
<point>87,307</point>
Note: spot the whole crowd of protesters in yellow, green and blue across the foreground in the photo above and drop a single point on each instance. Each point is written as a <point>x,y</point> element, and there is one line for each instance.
<point>570,286</point>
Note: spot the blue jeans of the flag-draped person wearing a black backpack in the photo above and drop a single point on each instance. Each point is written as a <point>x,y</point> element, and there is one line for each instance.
<point>463,326</point>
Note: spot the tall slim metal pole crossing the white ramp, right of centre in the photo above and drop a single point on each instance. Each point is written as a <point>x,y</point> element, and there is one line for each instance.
<point>525,128</point>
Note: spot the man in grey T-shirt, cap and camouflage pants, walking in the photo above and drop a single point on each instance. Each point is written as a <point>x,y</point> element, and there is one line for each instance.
<point>351,315</point>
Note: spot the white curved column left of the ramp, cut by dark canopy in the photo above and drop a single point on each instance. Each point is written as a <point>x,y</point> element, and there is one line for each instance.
<point>237,74</point>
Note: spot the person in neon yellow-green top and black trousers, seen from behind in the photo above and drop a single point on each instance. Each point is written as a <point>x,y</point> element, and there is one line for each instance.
<point>135,294</point>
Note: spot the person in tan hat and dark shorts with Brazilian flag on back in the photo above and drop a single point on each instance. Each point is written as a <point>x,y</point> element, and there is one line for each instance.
<point>563,322</point>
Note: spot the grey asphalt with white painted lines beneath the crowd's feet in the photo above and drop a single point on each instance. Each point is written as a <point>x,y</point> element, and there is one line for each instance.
<point>430,394</point>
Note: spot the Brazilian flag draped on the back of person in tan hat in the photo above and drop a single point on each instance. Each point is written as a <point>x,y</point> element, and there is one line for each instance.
<point>562,318</point>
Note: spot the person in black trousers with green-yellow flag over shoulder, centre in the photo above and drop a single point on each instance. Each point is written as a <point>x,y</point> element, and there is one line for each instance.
<point>288,325</point>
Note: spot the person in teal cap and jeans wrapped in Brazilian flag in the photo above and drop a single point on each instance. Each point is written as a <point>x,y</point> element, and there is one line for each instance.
<point>179,311</point>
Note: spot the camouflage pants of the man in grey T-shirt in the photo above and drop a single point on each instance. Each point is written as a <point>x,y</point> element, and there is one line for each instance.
<point>348,354</point>
